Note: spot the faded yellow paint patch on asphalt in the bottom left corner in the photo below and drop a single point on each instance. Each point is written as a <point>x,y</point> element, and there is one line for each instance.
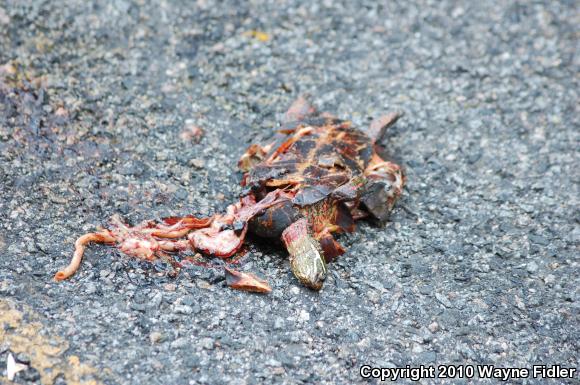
<point>22,332</point>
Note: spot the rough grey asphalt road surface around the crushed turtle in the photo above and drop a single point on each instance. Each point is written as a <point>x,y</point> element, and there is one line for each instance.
<point>478,264</point>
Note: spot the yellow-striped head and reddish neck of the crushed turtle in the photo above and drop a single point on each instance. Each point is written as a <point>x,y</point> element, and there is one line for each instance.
<point>306,255</point>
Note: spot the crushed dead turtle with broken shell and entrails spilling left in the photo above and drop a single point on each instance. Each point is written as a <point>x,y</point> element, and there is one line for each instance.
<point>315,177</point>
